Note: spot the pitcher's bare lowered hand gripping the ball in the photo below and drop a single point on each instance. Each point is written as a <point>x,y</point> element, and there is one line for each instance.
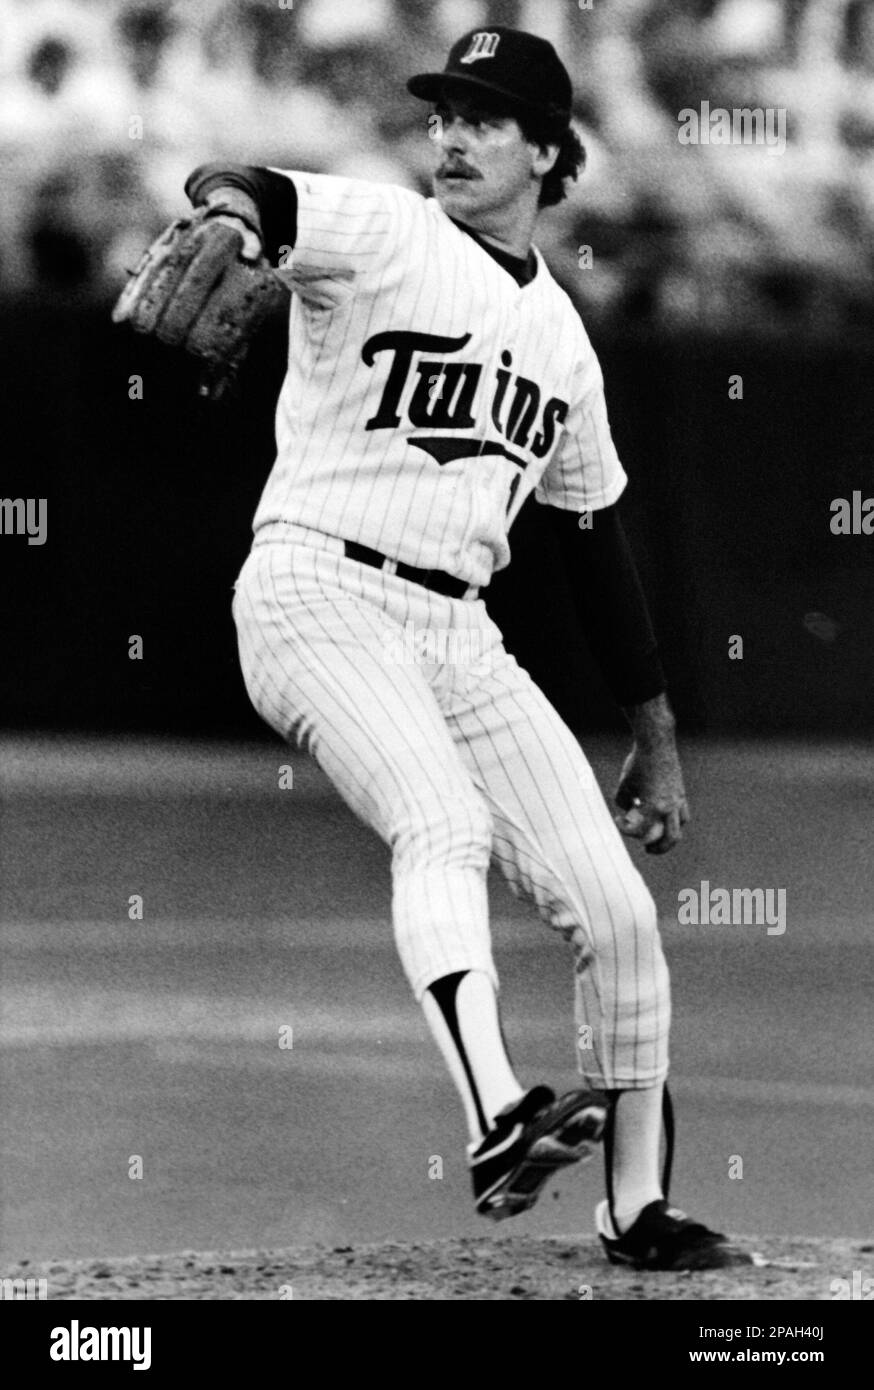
<point>652,797</point>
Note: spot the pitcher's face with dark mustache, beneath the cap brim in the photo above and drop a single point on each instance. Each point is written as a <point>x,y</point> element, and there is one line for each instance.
<point>486,166</point>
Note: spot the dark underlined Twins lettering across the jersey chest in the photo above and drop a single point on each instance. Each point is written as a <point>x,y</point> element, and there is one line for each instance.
<point>445,398</point>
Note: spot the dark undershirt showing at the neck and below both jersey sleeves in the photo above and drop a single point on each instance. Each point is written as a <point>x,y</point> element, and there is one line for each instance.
<point>605,582</point>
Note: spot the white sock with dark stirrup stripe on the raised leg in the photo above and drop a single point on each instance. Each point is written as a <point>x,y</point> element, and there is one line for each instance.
<point>462,1013</point>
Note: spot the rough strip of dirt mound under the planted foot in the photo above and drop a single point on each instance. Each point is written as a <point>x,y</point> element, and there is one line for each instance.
<point>488,1268</point>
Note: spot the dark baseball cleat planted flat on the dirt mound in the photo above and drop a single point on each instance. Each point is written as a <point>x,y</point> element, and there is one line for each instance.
<point>665,1238</point>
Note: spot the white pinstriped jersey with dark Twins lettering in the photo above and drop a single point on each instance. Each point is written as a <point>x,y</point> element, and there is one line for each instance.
<point>427,393</point>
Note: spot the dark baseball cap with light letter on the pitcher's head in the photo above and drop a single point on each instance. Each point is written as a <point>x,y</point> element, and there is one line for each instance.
<point>522,69</point>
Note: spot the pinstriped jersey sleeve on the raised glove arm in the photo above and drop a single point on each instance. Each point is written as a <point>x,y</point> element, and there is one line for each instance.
<point>345,229</point>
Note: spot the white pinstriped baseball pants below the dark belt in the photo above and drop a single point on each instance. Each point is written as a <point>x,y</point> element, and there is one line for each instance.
<point>441,743</point>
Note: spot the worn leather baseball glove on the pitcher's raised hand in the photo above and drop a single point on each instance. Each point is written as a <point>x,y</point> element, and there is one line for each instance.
<point>192,291</point>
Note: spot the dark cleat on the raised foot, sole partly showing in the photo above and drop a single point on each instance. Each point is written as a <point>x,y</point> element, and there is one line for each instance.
<point>531,1139</point>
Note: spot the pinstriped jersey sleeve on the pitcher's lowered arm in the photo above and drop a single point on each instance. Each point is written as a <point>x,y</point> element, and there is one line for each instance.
<point>586,473</point>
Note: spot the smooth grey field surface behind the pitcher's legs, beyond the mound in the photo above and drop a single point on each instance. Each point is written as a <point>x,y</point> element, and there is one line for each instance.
<point>267,908</point>
